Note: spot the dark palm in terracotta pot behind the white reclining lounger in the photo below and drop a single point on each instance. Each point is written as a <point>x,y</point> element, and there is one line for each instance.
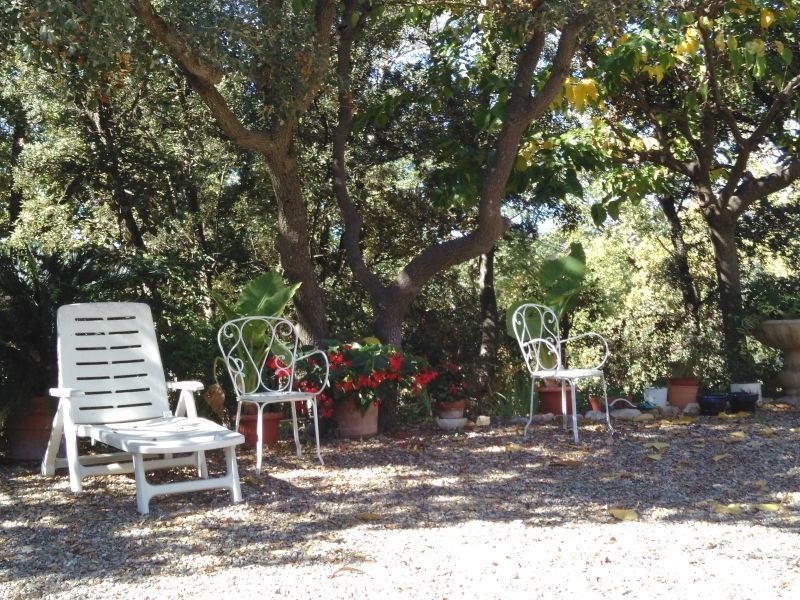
<point>33,284</point>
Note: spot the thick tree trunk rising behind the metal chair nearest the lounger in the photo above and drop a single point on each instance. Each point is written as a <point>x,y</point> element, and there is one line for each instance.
<point>293,245</point>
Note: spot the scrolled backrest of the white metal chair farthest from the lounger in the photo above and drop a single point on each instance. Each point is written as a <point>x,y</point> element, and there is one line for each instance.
<point>537,332</point>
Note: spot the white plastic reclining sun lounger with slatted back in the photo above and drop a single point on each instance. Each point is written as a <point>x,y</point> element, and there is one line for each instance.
<point>112,390</point>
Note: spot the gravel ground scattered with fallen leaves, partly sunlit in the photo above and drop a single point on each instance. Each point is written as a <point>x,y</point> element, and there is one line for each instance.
<point>426,514</point>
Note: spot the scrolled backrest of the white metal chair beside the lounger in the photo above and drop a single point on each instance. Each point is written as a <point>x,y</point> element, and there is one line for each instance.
<point>260,353</point>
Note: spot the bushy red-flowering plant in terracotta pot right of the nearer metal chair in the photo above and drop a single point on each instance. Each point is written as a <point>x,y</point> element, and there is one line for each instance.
<point>362,375</point>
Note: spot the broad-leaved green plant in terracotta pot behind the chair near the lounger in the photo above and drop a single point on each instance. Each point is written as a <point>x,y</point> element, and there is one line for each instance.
<point>265,295</point>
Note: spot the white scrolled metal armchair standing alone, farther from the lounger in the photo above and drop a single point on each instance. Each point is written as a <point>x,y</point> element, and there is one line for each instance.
<point>537,331</point>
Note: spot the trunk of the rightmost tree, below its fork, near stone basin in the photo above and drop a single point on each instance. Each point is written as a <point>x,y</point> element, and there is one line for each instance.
<point>722,229</point>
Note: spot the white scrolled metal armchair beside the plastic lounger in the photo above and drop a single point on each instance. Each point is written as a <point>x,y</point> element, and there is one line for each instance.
<point>250,346</point>
